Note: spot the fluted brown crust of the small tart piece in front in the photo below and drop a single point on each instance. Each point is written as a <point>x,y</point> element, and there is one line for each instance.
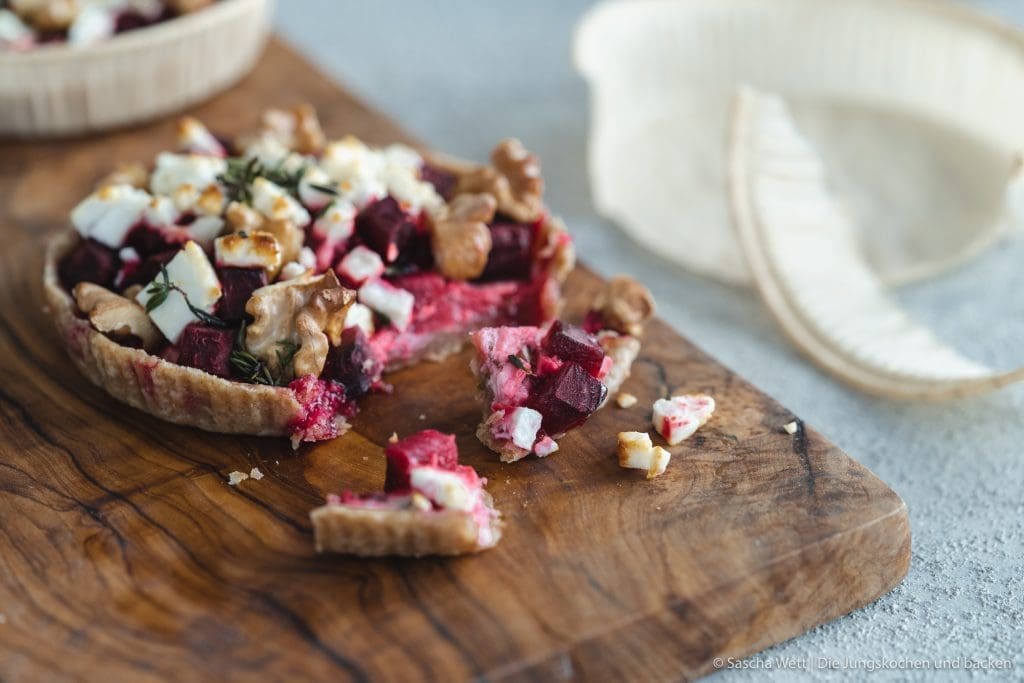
<point>376,533</point>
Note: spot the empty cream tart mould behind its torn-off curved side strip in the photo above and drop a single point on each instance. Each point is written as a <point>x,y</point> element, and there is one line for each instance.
<point>914,105</point>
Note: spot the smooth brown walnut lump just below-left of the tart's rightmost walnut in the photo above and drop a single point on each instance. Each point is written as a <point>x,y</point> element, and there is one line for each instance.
<point>461,239</point>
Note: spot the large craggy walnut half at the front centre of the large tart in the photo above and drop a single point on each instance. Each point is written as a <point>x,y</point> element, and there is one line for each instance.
<point>306,312</point>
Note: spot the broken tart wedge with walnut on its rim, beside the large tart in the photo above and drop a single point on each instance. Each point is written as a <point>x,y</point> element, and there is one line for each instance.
<point>540,382</point>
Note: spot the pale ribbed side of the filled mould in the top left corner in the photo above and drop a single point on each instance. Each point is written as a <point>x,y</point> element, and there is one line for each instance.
<point>133,77</point>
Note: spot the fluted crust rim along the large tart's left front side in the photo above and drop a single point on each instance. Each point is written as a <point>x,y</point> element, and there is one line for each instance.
<point>166,391</point>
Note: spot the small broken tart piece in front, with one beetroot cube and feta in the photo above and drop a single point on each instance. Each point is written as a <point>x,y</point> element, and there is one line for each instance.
<point>432,505</point>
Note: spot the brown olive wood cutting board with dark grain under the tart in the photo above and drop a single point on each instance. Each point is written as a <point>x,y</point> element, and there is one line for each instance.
<point>126,557</point>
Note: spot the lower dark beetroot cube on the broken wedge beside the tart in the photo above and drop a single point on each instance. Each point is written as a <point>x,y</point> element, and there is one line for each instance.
<point>566,399</point>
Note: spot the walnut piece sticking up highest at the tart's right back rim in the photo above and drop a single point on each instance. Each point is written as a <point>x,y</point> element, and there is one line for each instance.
<point>514,179</point>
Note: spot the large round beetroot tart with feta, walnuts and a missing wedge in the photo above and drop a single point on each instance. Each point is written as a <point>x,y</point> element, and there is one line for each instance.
<point>263,286</point>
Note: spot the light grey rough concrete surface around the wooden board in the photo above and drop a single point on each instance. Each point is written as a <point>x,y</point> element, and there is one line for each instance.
<point>462,75</point>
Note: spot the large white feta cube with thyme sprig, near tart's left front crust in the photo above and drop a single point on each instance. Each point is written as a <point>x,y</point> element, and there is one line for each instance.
<point>192,274</point>
